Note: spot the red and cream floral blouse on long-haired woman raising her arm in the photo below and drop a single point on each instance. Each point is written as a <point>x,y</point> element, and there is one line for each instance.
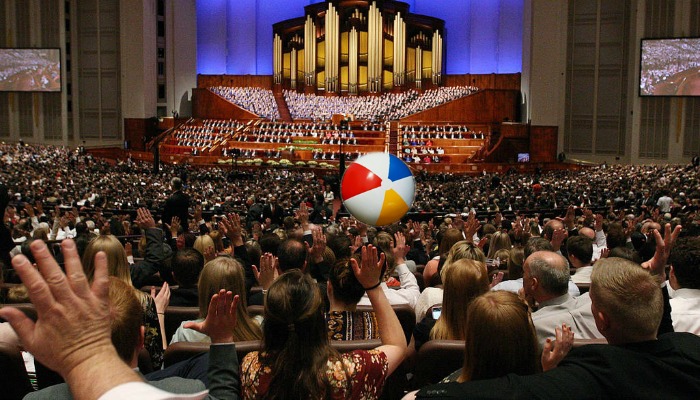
<point>365,369</point>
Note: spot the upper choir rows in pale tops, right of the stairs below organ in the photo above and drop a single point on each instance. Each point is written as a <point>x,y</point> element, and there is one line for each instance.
<point>386,107</point>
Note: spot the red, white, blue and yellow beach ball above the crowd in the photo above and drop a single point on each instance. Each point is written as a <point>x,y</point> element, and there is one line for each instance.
<point>378,189</point>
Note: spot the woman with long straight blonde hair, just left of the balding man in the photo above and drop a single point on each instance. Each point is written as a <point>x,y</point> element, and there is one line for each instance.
<point>464,280</point>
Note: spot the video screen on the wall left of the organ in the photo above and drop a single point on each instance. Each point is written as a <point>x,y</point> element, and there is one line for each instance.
<point>30,70</point>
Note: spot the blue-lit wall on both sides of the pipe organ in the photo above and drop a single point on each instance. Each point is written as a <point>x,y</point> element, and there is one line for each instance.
<point>482,36</point>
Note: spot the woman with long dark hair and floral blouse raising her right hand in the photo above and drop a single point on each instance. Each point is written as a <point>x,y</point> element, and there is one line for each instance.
<point>297,361</point>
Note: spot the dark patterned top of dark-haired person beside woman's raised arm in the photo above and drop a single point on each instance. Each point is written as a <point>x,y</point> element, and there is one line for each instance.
<point>348,325</point>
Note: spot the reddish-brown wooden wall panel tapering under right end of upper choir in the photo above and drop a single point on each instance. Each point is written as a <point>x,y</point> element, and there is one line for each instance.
<point>487,106</point>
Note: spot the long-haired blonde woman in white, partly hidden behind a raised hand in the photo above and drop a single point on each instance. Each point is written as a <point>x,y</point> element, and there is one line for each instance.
<point>221,273</point>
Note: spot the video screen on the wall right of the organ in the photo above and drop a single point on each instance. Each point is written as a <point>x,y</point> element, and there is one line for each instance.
<point>670,67</point>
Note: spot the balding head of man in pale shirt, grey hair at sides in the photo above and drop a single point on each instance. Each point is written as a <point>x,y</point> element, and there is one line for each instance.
<point>547,275</point>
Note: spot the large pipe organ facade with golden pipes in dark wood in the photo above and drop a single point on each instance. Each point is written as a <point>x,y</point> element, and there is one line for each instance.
<point>358,46</point>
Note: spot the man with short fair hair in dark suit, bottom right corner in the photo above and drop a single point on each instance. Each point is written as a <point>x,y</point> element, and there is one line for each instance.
<point>627,305</point>
